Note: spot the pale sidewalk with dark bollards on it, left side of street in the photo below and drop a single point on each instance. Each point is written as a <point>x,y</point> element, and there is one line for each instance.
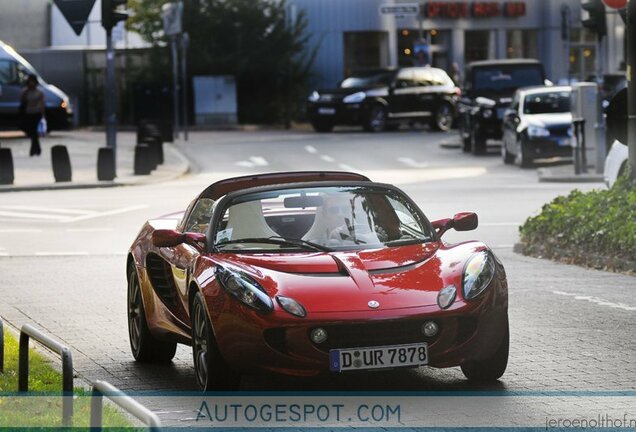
<point>36,173</point>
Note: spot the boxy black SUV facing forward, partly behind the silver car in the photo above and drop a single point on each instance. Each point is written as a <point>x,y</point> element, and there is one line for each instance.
<point>488,90</point>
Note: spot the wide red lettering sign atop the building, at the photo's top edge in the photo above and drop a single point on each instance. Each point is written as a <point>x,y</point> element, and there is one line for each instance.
<point>478,9</point>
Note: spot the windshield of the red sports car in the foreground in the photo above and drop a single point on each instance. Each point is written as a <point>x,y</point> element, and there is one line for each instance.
<point>320,219</point>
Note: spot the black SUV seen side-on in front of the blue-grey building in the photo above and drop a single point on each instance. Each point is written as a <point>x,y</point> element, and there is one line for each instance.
<point>383,98</point>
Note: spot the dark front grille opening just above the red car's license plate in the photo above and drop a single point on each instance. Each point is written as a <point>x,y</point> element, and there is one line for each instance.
<point>374,334</point>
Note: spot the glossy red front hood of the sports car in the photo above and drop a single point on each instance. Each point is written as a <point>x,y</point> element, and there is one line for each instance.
<point>397,278</point>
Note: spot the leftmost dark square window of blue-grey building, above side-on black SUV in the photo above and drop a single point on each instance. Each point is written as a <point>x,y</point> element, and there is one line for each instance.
<point>365,50</point>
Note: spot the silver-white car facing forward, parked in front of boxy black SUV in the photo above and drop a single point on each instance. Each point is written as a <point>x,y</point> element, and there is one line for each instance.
<point>538,124</point>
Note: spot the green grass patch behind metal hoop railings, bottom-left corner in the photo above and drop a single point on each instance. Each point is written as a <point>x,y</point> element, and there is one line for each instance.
<point>44,407</point>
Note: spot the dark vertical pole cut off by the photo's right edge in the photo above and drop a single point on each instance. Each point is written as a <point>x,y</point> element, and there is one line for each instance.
<point>631,85</point>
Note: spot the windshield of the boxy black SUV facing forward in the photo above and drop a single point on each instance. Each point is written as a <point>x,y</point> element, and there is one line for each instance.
<point>506,78</point>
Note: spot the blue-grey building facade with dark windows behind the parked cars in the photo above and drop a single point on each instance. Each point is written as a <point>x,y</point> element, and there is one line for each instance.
<point>360,34</point>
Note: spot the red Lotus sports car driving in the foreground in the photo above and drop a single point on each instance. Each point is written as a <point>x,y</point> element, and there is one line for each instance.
<point>314,272</point>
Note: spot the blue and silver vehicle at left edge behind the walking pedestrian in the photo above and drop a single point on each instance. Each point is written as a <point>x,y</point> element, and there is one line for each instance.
<point>14,70</point>
